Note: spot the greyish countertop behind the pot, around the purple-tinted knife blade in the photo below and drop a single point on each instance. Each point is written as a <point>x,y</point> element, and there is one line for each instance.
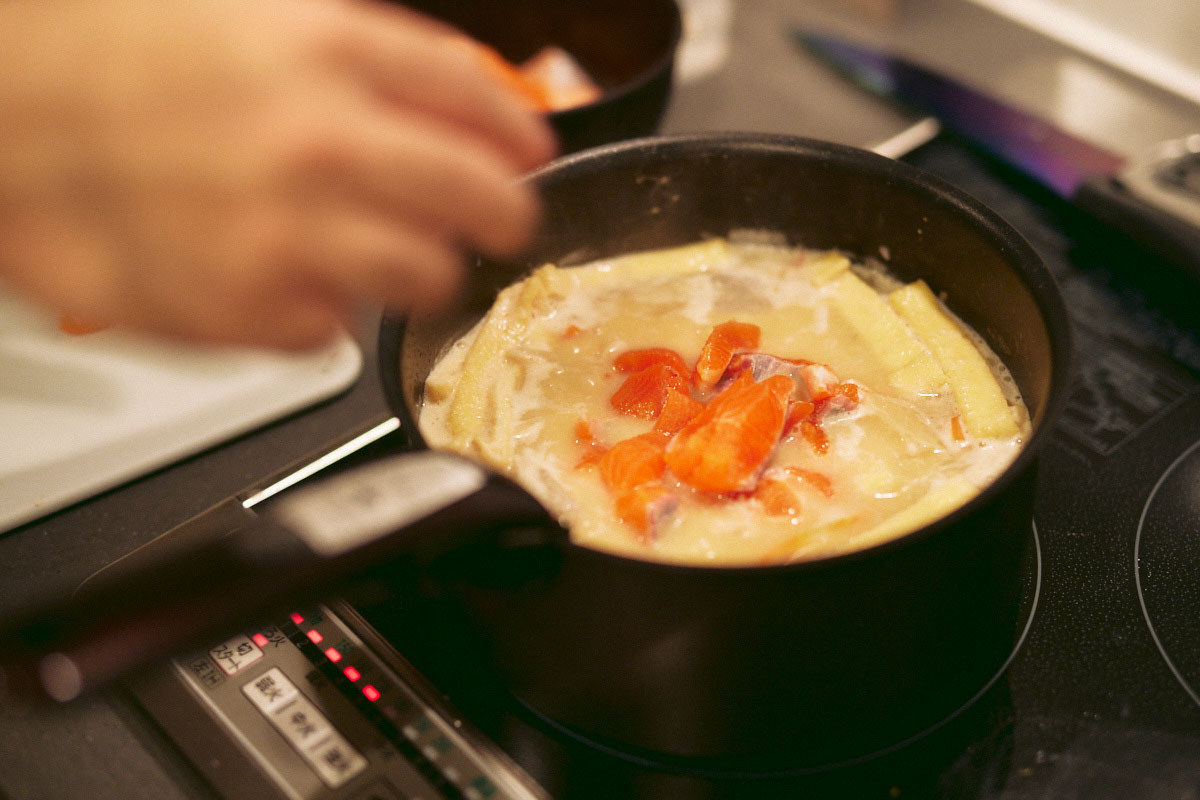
<point>766,86</point>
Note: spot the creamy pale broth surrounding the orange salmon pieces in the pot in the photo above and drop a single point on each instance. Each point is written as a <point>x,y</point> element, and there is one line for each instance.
<point>550,347</point>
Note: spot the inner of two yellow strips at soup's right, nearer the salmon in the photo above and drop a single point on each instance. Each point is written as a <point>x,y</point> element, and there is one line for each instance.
<point>902,354</point>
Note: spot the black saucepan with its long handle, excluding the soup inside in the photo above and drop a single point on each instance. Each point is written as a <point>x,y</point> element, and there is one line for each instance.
<point>809,663</point>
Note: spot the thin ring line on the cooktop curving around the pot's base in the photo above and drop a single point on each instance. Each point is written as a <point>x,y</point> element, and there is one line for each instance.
<point>1030,598</point>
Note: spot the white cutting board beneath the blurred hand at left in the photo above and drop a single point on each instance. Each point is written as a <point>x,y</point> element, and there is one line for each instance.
<point>82,414</point>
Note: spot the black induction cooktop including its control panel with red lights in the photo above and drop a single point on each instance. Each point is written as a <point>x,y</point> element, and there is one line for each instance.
<point>1100,700</point>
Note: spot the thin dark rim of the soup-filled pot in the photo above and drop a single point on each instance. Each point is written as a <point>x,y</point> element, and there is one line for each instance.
<point>1035,275</point>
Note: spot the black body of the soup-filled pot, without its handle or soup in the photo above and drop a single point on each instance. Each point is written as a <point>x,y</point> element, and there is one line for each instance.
<point>803,664</point>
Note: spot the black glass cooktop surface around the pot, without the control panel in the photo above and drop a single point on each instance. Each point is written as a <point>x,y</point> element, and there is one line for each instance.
<point>1101,699</point>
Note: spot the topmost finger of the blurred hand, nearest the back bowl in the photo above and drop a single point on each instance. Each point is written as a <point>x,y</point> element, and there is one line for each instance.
<point>424,68</point>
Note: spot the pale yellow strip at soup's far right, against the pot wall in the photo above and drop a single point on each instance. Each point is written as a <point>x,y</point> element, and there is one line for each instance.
<point>979,394</point>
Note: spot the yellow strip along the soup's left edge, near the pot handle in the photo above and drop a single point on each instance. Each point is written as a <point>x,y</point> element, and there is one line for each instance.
<point>481,416</point>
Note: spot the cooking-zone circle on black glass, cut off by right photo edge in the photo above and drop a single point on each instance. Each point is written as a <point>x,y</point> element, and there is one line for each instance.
<point>1174,506</point>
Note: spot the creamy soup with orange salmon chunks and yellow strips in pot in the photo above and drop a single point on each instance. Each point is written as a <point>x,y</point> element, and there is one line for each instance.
<point>729,402</point>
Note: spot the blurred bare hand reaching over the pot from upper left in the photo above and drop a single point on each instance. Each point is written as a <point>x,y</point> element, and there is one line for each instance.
<point>247,234</point>
